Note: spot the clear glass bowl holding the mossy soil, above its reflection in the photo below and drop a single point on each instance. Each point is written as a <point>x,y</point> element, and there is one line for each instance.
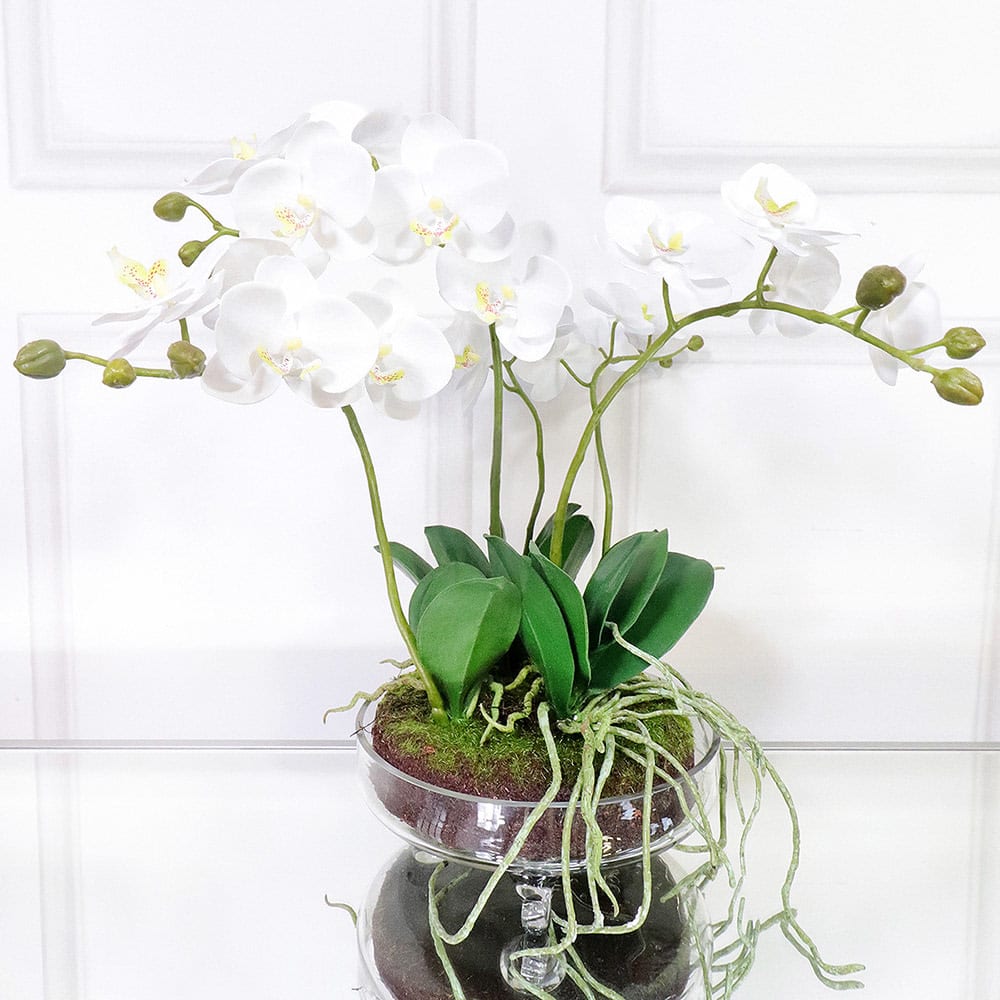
<point>479,831</point>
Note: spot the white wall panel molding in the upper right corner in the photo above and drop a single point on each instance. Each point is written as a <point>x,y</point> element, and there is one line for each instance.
<point>635,161</point>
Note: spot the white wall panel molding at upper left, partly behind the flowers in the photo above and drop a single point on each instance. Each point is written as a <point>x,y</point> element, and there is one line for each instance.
<point>43,156</point>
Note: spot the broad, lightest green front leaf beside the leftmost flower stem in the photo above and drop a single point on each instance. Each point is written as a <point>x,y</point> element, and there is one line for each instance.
<point>463,632</point>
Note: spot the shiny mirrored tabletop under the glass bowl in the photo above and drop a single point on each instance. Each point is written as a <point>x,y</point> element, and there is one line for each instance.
<point>145,871</point>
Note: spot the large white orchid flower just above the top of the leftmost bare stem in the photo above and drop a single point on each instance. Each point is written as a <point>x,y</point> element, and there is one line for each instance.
<point>278,329</point>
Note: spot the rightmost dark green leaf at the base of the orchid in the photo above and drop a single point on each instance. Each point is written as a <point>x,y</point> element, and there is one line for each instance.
<point>679,597</point>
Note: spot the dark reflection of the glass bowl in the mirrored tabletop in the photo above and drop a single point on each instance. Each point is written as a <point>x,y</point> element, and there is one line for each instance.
<point>398,960</point>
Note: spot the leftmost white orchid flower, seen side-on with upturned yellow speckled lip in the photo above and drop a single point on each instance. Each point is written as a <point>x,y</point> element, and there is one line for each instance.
<point>167,301</point>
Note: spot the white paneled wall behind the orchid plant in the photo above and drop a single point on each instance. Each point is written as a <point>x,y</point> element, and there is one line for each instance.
<point>174,567</point>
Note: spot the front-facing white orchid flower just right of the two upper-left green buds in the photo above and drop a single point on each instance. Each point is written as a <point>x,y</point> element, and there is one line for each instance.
<point>321,187</point>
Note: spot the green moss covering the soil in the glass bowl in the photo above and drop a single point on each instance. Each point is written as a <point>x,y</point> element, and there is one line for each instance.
<point>508,765</point>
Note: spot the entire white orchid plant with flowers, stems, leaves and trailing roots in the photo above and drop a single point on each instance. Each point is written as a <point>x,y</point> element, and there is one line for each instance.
<point>488,626</point>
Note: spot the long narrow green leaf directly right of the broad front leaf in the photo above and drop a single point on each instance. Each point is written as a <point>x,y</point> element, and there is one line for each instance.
<point>543,629</point>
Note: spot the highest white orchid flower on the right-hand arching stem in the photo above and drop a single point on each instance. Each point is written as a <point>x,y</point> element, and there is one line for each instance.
<point>783,210</point>
